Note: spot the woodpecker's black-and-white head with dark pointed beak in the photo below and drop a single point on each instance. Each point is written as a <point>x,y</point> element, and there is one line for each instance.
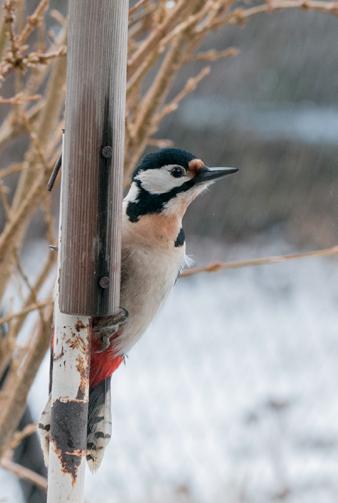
<point>167,181</point>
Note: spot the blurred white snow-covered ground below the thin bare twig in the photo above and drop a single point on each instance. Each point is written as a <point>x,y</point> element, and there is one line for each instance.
<point>230,397</point>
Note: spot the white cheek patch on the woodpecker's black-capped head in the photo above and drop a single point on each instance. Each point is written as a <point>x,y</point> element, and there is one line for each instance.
<point>159,181</point>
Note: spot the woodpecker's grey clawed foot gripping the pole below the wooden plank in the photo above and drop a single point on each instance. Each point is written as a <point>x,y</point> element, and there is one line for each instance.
<point>106,327</point>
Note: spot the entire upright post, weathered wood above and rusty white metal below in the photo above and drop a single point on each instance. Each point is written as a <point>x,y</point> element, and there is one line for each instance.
<point>90,225</point>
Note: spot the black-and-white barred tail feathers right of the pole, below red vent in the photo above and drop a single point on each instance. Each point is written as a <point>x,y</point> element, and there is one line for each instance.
<point>99,423</point>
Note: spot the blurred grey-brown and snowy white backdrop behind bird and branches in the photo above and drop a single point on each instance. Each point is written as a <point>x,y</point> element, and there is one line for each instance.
<point>231,397</point>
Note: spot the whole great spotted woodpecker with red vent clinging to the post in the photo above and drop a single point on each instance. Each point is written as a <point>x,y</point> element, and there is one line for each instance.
<point>153,254</point>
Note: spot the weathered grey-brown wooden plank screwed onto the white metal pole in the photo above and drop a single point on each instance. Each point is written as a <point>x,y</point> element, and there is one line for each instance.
<point>93,157</point>
